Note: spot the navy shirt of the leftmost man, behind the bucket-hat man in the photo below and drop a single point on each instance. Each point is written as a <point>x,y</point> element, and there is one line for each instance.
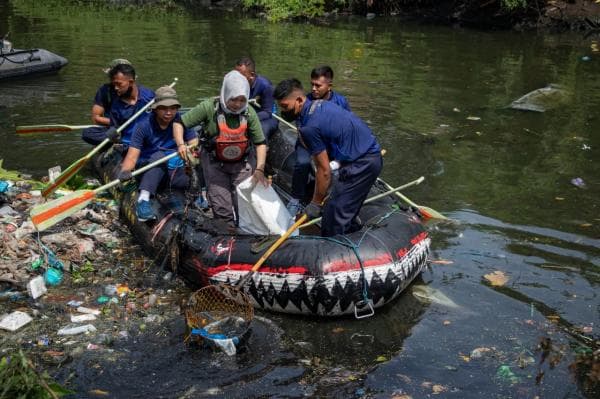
<point>119,112</point>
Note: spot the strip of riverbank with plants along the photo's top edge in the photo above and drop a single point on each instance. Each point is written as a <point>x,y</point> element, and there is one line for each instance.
<point>558,15</point>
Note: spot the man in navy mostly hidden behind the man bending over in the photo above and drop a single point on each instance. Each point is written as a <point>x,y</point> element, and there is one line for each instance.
<point>321,81</point>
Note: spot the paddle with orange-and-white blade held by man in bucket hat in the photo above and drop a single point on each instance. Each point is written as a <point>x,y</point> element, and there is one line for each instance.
<point>52,212</point>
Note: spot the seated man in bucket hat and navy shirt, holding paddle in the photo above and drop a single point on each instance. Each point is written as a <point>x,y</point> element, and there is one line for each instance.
<point>152,140</point>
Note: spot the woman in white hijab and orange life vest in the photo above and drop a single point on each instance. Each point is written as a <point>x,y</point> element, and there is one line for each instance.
<point>233,139</point>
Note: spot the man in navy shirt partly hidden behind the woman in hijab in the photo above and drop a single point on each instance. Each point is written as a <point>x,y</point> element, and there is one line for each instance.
<point>261,90</point>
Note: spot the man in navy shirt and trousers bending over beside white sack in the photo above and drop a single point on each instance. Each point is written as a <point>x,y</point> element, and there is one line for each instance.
<point>333,134</point>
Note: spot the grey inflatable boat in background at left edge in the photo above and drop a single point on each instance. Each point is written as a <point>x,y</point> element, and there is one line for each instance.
<point>15,62</point>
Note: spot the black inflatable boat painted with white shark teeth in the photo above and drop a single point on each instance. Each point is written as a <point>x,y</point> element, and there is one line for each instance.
<point>308,274</point>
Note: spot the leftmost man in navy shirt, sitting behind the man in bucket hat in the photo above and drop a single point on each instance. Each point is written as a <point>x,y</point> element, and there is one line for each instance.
<point>115,103</point>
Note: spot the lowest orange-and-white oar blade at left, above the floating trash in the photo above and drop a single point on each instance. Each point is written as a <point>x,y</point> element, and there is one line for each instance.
<point>52,212</point>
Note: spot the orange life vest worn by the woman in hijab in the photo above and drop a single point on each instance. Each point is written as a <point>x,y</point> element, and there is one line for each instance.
<point>231,145</point>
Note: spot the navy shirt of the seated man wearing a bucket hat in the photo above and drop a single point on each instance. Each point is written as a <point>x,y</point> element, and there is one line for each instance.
<point>150,138</point>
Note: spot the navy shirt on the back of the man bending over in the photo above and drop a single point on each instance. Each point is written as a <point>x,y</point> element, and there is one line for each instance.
<point>324,126</point>
